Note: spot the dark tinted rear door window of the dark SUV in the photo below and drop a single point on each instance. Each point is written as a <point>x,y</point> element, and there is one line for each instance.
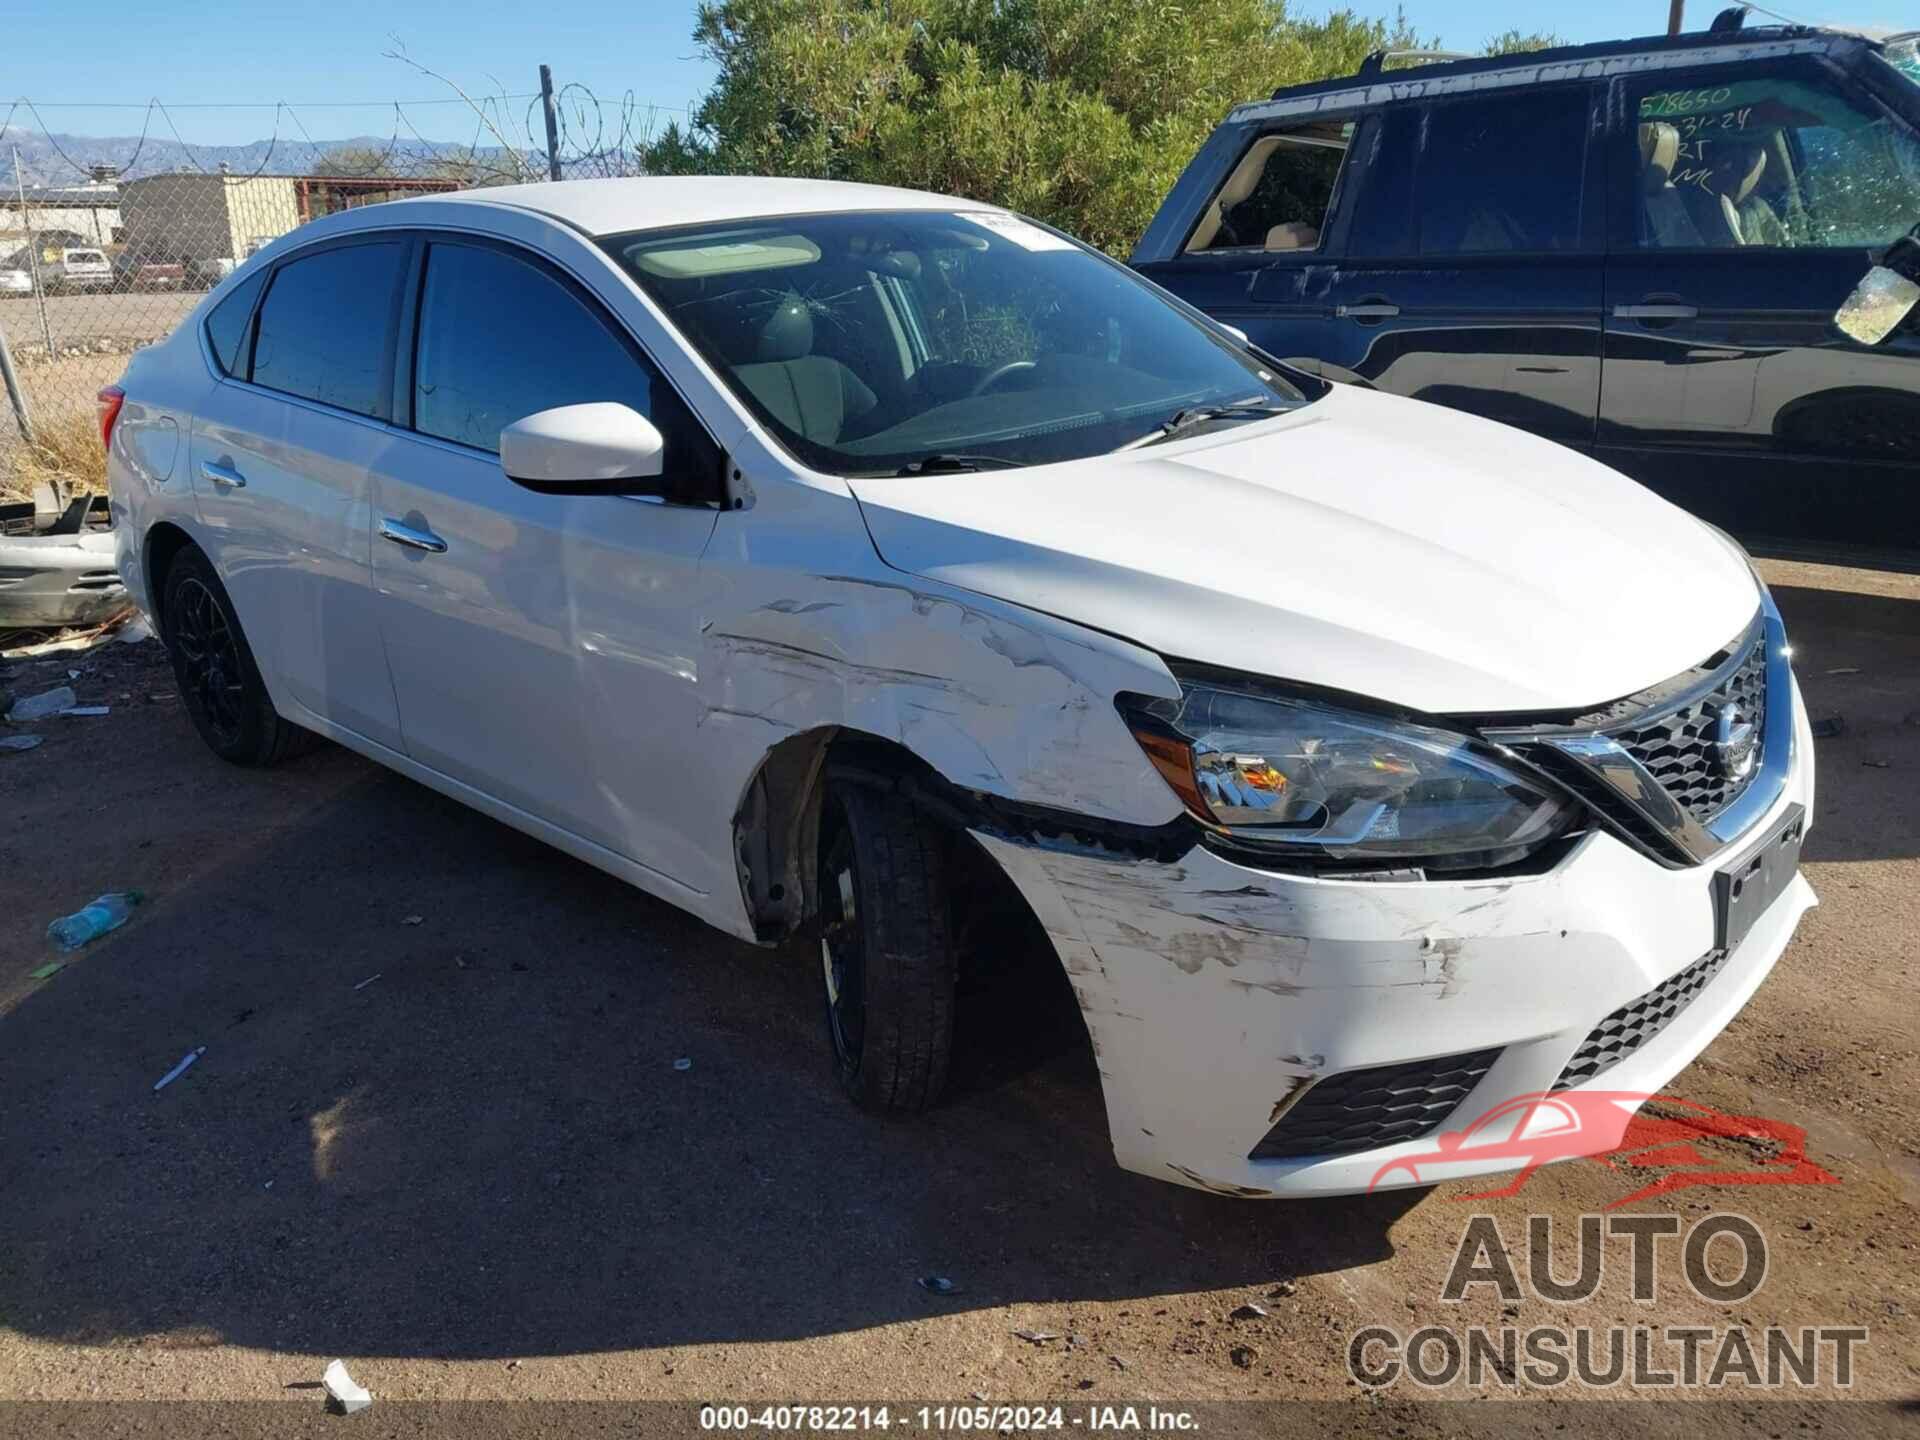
<point>1504,174</point>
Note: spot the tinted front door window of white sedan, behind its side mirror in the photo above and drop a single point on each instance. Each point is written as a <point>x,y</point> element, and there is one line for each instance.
<point>502,341</point>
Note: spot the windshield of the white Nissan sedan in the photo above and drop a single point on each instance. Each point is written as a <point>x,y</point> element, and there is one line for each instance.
<point>940,341</point>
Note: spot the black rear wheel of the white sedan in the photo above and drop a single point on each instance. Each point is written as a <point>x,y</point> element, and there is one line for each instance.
<point>216,671</point>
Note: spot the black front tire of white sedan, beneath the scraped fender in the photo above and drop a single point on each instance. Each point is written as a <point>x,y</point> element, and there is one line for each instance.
<point>886,948</point>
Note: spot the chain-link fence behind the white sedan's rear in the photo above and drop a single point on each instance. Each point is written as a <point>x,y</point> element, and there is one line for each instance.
<point>105,252</point>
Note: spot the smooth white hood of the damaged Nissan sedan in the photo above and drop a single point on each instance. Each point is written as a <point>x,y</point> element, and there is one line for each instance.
<point>1366,544</point>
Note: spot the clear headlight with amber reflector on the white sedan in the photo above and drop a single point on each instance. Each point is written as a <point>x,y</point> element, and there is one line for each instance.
<point>1339,784</point>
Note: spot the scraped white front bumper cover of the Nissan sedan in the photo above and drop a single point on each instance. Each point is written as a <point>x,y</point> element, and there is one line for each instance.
<point>1216,992</point>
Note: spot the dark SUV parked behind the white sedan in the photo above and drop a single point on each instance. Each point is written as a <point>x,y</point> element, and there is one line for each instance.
<point>1637,249</point>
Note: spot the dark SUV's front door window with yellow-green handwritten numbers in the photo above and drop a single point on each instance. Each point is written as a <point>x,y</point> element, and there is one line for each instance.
<point>1775,158</point>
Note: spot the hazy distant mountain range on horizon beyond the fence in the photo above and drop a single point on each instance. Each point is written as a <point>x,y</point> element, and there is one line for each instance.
<point>66,158</point>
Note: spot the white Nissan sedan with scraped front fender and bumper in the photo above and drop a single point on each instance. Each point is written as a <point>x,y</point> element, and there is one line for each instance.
<point>792,550</point>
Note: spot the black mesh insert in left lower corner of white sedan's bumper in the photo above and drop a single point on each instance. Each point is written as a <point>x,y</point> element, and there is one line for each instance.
<point>1368,1109</point>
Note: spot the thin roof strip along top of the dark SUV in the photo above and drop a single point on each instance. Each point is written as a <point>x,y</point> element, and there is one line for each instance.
<point>1376,85</point>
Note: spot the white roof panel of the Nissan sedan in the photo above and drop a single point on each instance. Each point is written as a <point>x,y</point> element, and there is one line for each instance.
<point>660,203</point>
